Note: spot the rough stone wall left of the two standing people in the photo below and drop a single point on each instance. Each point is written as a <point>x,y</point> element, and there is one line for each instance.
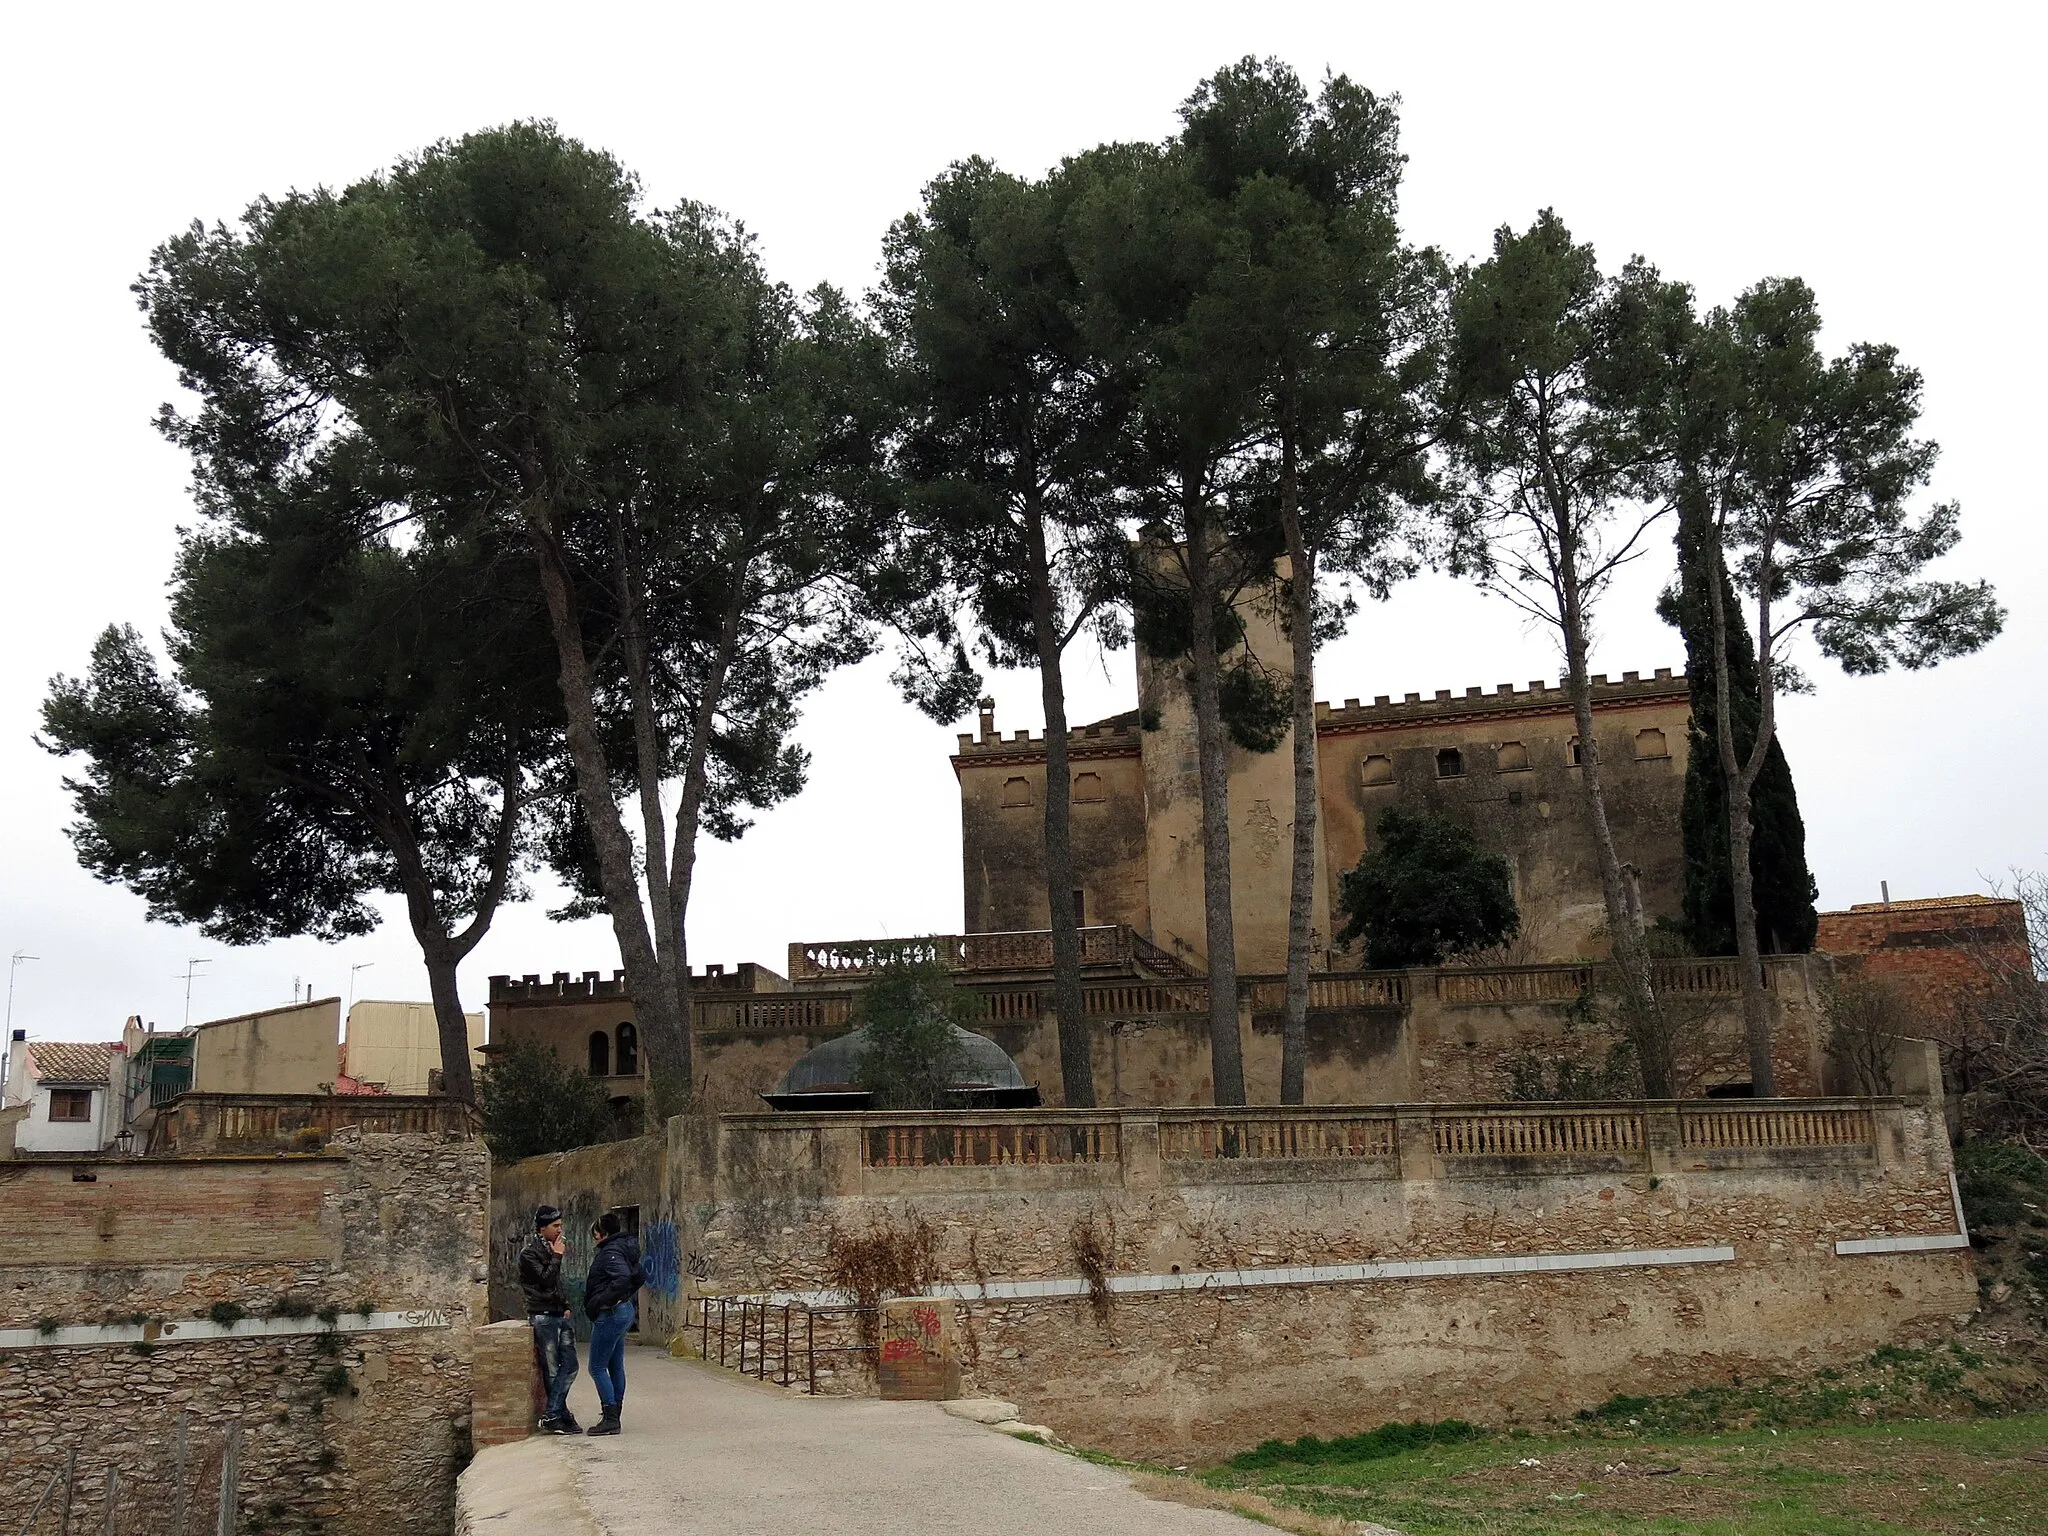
<point>318,1306</point>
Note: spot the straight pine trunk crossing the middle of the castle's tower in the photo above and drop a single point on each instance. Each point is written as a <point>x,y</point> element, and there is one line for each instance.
<point>1226,1048</point>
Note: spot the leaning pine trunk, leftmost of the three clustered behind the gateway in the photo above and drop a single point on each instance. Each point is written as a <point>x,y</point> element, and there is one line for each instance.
<point>654,998</point>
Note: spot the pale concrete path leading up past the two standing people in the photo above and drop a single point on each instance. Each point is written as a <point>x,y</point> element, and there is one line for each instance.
<point>706,1451</point>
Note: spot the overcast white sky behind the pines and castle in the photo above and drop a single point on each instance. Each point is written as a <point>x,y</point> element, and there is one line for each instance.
<point>1887,155</point>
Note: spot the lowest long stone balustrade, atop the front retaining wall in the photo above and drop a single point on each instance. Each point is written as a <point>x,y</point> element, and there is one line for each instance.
<point>1410,1142</point>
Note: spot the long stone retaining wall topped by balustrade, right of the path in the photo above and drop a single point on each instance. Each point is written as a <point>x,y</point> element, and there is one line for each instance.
<point>1351,1269</point>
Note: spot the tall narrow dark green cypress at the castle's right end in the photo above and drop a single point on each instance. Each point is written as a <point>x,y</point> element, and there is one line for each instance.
<point>1787,894</point>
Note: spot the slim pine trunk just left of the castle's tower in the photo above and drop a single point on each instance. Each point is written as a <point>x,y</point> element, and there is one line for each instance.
<point>1076,1060</point>
